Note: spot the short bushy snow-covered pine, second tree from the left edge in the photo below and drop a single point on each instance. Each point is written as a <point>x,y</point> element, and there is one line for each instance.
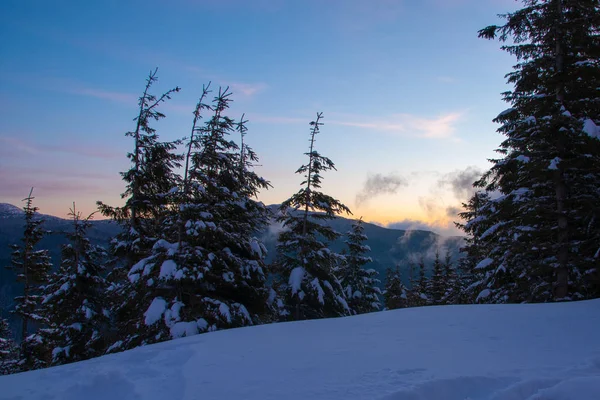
<point>74,306</point>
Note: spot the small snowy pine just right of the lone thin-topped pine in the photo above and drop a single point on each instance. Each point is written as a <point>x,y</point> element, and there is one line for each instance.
<point>360,285</point>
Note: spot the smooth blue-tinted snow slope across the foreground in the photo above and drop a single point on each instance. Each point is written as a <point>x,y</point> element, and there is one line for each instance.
<point>506,352</point>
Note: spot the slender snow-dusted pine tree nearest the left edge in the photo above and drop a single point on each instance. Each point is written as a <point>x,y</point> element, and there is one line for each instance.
<point>32,266</point>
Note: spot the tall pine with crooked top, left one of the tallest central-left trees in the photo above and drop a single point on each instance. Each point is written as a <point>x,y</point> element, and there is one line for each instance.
<point>150,198</point>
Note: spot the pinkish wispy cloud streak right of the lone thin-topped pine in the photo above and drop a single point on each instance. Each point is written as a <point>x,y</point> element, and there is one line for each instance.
<point>440,127</point>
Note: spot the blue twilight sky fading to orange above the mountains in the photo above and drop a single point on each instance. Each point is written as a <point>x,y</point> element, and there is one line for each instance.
<point>407,89</point>
